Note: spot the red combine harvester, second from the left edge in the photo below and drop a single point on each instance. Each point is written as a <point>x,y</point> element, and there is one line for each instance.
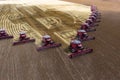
<point>23,39</point>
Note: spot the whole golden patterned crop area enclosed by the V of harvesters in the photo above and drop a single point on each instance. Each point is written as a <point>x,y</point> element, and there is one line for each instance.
<point>59,21</point>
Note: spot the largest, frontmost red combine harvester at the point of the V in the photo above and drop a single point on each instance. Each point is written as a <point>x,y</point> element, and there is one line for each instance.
<point>77,49</point>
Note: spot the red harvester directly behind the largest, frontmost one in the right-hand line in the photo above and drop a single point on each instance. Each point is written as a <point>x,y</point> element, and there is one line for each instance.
<point>82,36</point>
